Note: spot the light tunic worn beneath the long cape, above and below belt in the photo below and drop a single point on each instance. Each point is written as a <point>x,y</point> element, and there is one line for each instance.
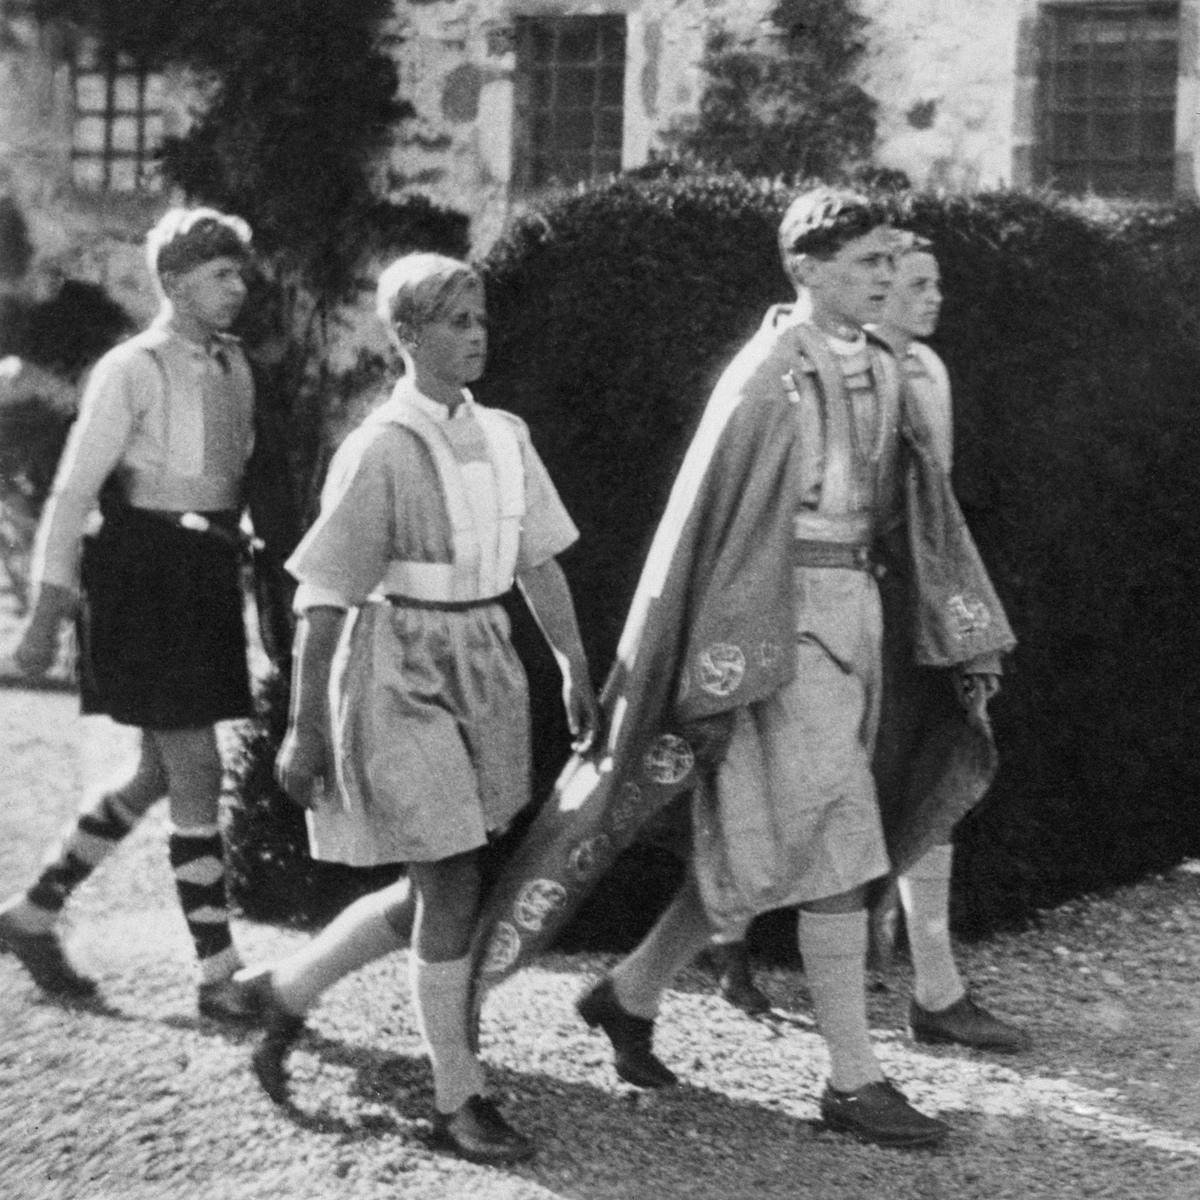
<point>815,831</point>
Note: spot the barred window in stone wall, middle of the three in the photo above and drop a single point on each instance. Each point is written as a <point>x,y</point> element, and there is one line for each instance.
<point>571,86</point>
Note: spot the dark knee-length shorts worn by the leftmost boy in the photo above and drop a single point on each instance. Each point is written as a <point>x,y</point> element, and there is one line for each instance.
<point>163,641</point>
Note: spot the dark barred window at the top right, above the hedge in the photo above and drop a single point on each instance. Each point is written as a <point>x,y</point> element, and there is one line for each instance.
<point>1107,98</point>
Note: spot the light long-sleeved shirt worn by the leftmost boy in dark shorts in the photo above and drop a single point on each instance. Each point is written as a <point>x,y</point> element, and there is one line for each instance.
<point>173,419</point>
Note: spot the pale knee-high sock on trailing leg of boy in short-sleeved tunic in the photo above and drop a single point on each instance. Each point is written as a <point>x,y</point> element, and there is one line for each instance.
<point>361,934</point>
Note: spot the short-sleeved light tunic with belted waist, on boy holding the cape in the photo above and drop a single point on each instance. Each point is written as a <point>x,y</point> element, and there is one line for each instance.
<point>430,706</point>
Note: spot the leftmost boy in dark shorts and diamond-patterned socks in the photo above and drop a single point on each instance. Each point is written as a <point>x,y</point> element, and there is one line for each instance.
<point>163,442</point>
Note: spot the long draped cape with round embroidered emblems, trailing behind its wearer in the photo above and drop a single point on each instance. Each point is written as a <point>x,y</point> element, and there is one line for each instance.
<point>710,629</point>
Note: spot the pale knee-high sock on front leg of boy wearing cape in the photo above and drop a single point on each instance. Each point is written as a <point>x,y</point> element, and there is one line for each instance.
<point>835,950</point>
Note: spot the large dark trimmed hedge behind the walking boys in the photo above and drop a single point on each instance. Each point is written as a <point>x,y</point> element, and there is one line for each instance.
<point>615,310</point>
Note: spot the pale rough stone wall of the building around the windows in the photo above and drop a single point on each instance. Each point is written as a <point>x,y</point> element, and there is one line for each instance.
<point>953,80</point>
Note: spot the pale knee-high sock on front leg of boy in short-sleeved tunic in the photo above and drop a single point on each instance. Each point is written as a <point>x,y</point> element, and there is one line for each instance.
<point>441,993</point>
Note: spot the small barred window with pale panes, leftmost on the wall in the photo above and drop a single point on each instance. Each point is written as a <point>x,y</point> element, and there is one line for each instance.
<point>118,122</point>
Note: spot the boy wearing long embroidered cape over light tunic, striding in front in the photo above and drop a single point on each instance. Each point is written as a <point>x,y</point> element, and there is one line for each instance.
<point>751,667</point>
